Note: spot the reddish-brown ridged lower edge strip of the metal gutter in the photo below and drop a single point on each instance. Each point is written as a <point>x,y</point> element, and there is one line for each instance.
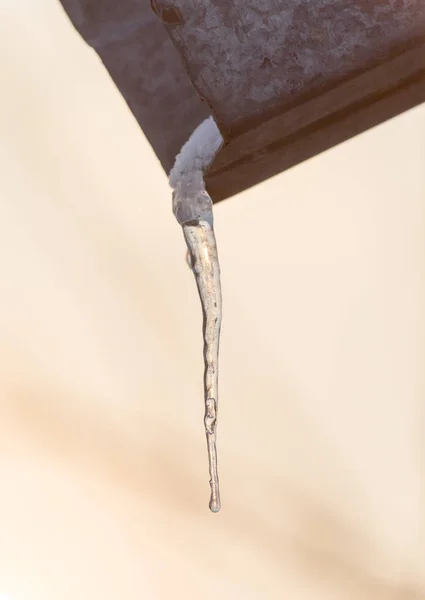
<point>313,126</point>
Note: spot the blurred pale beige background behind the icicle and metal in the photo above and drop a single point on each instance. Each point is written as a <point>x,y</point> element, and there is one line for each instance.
<point>103,468</point>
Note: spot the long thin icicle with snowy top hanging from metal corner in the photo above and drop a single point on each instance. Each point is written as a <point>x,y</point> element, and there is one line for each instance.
<point>192,207</point>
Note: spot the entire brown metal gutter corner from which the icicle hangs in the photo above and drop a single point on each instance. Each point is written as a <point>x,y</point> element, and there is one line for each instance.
<point>285,79</point>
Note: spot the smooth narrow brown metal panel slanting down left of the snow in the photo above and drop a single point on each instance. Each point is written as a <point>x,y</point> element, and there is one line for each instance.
<point>146,68</point>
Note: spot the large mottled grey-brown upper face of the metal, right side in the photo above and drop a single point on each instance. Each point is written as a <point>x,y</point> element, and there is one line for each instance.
<point>250,58</point>
